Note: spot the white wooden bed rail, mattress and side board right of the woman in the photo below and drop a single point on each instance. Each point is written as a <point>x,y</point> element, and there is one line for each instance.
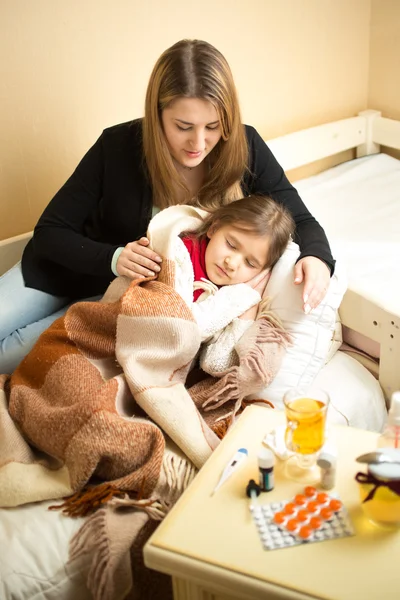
<point>363,233</point>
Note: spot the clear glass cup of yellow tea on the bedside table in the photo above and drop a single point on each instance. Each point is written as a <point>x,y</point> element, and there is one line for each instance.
<point>305,431</point>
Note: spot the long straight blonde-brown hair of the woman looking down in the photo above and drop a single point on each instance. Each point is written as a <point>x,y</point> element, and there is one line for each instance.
<point>194,69</point>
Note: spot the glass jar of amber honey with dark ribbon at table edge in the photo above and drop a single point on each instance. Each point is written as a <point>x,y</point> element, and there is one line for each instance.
<point>380,491</point>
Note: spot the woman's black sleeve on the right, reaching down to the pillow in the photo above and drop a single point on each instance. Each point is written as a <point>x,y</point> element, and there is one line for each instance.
<point>267,177</point>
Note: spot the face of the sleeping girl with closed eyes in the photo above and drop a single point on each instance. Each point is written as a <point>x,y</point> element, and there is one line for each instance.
<point>234,255</point>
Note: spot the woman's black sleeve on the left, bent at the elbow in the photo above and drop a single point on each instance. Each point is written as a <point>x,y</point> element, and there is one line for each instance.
<point>59,235</point>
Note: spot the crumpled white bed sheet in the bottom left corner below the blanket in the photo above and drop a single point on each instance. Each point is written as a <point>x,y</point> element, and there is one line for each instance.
<point>34,555</point>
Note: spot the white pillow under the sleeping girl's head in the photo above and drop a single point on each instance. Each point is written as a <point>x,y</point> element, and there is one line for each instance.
<point>314,336</point>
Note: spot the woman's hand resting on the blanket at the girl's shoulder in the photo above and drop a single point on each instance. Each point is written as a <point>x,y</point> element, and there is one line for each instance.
<point>137,260</point>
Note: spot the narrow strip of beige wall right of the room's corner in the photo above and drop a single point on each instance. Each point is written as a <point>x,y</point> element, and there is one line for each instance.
<point>384,74</point>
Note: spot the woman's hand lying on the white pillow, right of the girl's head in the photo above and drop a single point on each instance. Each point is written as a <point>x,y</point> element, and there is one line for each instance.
<point>316,276</point>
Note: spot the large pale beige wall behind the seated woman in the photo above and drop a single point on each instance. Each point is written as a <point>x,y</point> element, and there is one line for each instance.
<point>69,69</point>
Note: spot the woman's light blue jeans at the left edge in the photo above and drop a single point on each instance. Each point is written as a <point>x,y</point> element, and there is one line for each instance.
<point>24,314</point>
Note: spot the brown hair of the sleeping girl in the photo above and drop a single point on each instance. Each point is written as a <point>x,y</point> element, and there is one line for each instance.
<point>258,215</point>
